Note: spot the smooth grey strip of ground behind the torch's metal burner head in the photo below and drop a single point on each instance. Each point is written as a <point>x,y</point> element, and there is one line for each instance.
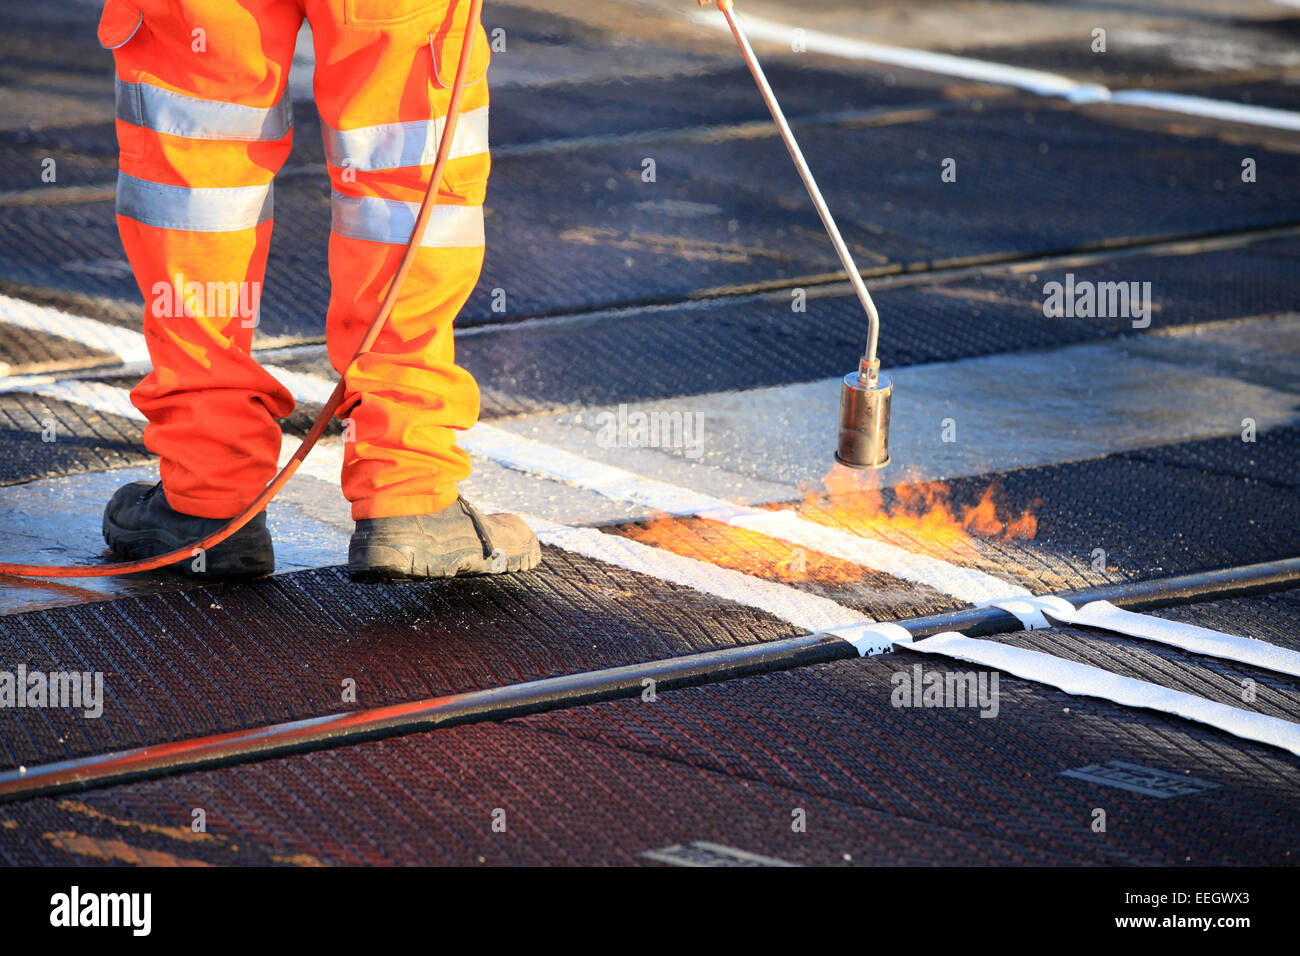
<point>963,418</point>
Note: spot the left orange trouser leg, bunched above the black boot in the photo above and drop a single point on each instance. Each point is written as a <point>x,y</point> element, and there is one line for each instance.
<point>203,124</point>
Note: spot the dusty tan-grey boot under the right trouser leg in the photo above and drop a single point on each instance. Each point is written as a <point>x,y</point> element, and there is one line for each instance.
<point>454,542</point>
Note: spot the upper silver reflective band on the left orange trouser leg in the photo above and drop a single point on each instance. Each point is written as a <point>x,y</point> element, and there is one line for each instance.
<point>164,111</point>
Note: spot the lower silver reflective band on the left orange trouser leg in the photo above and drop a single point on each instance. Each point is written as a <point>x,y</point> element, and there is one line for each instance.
<point>219,210</point>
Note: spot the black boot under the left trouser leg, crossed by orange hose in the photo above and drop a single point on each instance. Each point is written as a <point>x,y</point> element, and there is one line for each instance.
<point>138,524</point>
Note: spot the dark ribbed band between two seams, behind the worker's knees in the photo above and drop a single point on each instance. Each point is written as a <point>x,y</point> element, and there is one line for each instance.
<point>575,231</point>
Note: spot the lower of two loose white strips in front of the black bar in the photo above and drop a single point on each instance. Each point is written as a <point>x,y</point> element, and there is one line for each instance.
<point>1085,681</point>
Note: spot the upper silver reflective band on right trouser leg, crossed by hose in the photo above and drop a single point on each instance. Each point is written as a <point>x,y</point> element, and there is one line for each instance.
<point>396,145</point>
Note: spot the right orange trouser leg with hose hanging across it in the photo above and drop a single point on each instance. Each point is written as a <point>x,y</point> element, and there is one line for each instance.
<point>384,71</point>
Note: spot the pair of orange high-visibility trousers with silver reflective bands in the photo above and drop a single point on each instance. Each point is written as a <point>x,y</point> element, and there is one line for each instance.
<point>203,126</point>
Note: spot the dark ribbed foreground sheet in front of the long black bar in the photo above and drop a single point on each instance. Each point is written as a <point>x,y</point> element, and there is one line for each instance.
<point>738,764</point>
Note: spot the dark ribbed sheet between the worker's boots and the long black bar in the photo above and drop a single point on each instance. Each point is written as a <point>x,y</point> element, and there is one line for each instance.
<point>206,660</point>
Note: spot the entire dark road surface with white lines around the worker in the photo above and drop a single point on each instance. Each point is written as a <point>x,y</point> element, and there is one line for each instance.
<point>1119,447</point>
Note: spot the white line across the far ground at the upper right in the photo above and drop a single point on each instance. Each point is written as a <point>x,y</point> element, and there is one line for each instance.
<point>1034,81</point>
